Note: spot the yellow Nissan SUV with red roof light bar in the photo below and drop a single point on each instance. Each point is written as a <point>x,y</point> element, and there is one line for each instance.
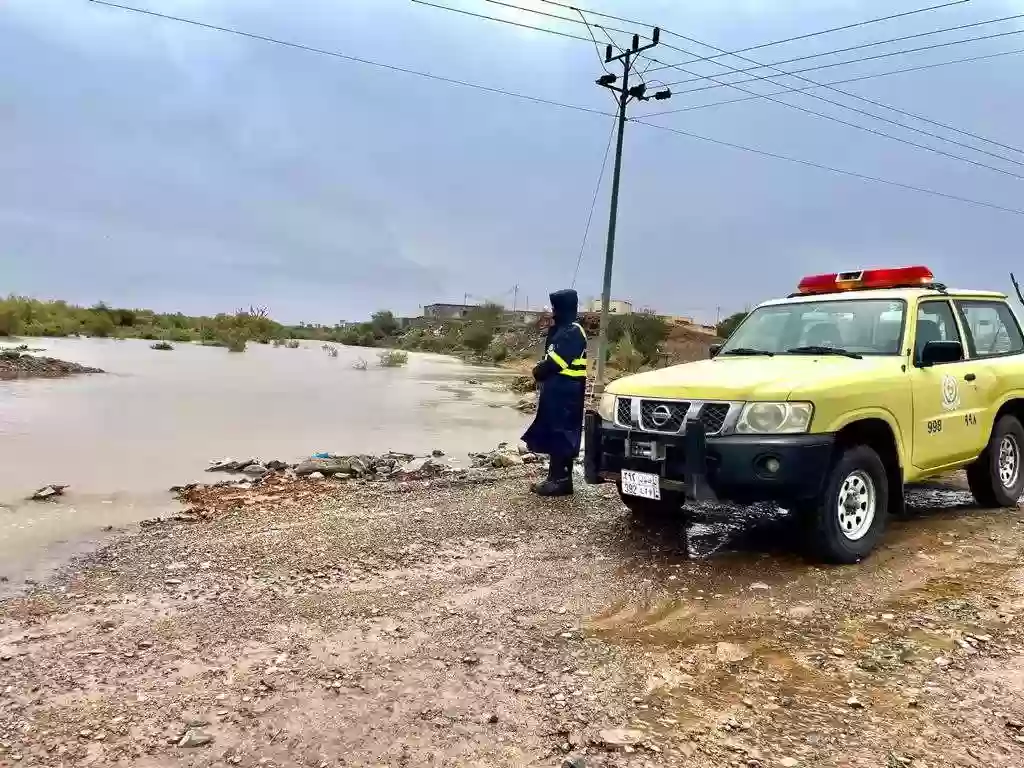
<point>828,403</point>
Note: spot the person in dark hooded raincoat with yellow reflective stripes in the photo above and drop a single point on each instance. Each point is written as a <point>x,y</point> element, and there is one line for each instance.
<point>562,378</point>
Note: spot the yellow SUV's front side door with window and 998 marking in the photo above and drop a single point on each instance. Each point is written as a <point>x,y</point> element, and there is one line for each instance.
<point>947,401</point>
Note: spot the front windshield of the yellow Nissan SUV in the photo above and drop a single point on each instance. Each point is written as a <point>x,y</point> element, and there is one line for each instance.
<point>862,327</point>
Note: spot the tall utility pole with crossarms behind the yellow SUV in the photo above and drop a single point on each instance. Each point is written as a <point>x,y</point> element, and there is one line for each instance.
<point>626,95</point>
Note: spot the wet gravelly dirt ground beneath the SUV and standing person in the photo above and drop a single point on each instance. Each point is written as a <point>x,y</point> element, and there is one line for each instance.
<point>472,624</point>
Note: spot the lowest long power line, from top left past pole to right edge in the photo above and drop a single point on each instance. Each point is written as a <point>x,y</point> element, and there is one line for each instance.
<point>489,90</point>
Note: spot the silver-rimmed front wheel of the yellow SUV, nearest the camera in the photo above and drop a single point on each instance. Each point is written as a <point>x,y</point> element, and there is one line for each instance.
<point>847,521</point>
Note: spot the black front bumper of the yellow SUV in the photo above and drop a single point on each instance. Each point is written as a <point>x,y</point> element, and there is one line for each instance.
<point>736,468</point>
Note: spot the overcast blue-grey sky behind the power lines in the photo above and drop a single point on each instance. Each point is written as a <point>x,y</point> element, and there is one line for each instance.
<point>150,163</point>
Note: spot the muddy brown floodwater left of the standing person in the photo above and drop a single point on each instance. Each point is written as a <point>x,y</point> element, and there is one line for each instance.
<point>156,418</point>
